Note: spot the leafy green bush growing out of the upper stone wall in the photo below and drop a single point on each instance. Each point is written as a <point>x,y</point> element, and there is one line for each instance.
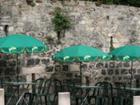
<point>60,21</point>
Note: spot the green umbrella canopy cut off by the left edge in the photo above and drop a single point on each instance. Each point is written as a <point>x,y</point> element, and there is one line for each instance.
<point>20,43</point>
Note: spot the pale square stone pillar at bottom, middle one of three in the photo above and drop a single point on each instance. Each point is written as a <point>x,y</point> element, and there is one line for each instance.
<point>64,98</point>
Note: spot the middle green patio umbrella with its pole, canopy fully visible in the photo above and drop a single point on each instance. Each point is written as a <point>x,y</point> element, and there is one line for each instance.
<point>79,53</point>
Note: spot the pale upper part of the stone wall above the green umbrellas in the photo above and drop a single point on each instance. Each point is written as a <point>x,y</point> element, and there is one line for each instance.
<point>89,21</point>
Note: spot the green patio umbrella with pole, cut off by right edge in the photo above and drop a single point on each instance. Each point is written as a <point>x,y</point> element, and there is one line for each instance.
<point>127,53</point>
